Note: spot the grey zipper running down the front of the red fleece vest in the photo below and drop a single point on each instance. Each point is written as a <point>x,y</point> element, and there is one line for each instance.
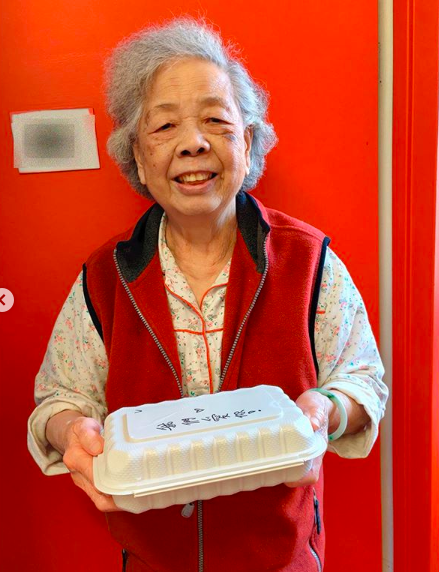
<point>222,378</point>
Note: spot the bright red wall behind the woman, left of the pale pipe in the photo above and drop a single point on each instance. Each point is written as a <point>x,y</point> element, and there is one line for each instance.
<point>319,62</point>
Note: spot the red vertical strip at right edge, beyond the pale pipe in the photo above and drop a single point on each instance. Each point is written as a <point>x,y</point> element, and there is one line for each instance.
<point>416,285</point>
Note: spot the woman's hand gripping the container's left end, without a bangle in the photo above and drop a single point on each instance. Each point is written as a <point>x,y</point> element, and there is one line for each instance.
<point>78,439</point>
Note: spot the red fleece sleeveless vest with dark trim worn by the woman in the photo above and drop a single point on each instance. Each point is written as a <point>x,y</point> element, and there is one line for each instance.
<point>272,528</point>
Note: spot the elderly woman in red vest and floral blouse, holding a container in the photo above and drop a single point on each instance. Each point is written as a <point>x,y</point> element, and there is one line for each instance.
<point>210,291</point>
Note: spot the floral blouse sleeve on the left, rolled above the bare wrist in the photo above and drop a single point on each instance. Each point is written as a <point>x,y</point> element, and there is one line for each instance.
<point>72,376</point>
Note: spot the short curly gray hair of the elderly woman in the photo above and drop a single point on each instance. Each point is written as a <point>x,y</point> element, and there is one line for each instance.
<point>130,71</point>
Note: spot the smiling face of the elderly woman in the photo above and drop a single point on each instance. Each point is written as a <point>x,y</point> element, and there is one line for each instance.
<point>191,127</point>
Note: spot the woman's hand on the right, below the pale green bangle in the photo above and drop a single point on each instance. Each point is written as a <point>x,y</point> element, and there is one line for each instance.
<point>318,408</point>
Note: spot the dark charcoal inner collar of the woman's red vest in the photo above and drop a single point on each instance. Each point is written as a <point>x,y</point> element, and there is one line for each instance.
<point>135,254</point>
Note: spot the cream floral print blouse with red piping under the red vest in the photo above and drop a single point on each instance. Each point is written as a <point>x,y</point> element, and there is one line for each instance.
<point>74,370</point>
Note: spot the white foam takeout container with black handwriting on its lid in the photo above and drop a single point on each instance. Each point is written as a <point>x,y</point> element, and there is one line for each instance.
<point>196,448</point>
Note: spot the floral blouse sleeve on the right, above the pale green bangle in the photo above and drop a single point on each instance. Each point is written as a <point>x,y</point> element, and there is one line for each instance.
<point>347,354</point>
